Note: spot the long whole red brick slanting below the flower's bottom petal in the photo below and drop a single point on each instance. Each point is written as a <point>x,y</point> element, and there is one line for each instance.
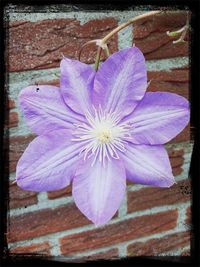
<point>119,232</point>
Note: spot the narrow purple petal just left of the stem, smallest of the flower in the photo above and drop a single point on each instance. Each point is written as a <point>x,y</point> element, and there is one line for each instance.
<point>76,84</point>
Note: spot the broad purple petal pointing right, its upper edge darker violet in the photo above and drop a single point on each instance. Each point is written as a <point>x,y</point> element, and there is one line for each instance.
<point>158,118</point>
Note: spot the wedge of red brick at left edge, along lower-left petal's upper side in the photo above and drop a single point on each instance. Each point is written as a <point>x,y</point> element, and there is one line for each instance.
<point>17,146</point>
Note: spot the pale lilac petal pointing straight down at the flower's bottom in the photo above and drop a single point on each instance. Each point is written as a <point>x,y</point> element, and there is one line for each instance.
<point>98,190</point>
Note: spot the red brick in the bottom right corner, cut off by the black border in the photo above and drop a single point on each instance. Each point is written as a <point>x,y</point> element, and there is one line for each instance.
<point>155,246</point>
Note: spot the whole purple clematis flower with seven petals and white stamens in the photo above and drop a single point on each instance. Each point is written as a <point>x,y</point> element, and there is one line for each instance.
<point>97,129</point>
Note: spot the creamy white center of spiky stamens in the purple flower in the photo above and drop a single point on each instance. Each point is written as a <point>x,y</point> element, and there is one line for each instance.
<point>103,135</point>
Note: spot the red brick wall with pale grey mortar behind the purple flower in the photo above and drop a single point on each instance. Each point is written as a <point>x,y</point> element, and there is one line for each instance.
<point>151,221</point>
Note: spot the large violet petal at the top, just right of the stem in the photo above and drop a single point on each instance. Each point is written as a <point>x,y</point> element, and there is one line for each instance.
<point>121,81</point>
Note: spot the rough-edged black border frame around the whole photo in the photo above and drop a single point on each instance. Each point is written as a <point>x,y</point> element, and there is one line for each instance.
<point>194,6</point>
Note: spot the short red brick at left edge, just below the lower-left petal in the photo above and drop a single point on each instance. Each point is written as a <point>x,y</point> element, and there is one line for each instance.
<point>20,198</point>
